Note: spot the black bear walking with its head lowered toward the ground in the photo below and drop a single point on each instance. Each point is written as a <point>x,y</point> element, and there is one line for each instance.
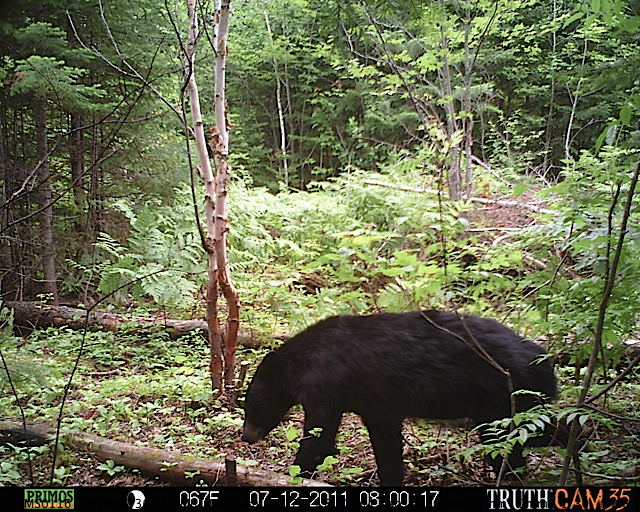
<point>387,367</point>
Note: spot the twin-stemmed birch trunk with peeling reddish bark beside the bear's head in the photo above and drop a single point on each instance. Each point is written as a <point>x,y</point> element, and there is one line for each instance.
<point>216,189</point>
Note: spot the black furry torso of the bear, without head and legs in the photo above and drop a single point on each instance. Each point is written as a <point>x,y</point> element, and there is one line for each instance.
<point>413,363</point>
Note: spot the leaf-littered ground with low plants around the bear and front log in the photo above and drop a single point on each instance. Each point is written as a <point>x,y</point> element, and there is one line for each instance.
<point>160,399</point>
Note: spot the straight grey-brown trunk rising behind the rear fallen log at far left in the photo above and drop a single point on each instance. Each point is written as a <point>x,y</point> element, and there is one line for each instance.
<point>46,215</point>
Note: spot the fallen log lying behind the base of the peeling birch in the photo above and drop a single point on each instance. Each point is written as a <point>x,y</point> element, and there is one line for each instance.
<point>34,315</point>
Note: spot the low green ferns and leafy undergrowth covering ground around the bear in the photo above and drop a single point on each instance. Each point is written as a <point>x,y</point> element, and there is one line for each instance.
<point>358,245</point>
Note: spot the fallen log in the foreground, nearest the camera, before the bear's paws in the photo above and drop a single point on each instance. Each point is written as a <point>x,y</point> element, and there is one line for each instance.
<point>169,466</point>
